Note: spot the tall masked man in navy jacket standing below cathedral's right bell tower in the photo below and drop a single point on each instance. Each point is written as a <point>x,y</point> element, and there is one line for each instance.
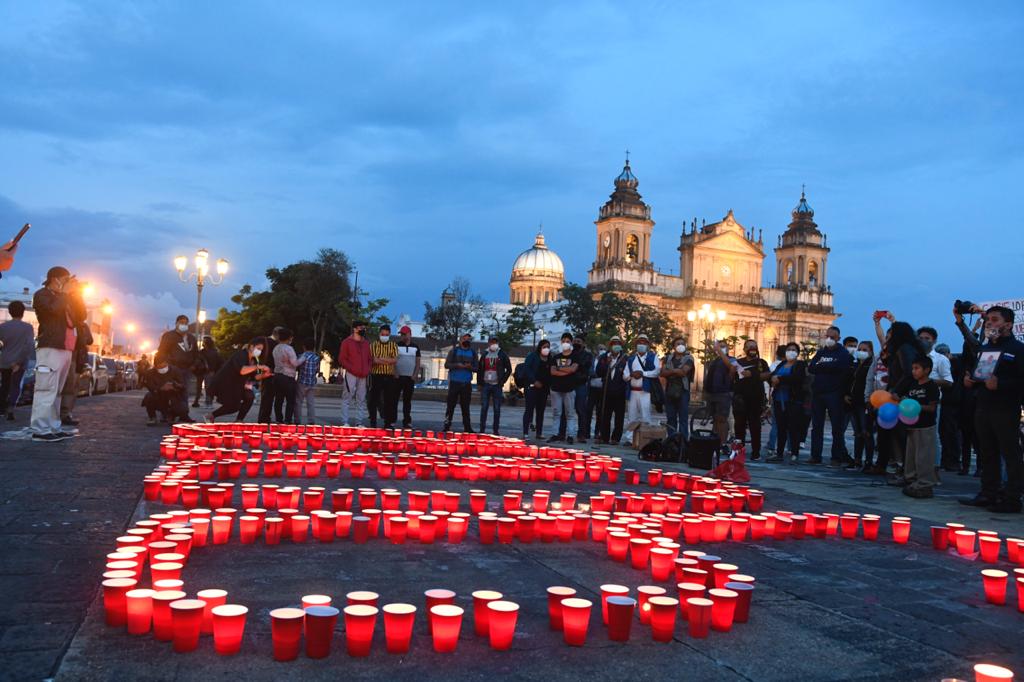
<point>831,370</point>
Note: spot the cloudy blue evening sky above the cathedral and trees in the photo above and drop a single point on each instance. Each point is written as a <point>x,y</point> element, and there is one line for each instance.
<point>429,141</point>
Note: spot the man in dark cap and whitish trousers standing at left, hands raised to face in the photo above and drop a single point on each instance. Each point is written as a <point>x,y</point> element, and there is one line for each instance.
<point>55,346</point>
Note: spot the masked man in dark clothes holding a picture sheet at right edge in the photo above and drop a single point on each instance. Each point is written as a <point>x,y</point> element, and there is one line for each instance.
<point>999,379</point>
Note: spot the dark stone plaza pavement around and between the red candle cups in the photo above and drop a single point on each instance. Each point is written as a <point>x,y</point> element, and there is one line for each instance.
<point>824,610</point>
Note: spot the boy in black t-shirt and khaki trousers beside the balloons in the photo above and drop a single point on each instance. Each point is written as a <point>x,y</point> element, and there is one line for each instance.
<point>919,468</point>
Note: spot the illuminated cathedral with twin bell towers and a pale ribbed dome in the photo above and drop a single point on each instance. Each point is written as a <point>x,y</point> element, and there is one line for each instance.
<point>719,291</point>
